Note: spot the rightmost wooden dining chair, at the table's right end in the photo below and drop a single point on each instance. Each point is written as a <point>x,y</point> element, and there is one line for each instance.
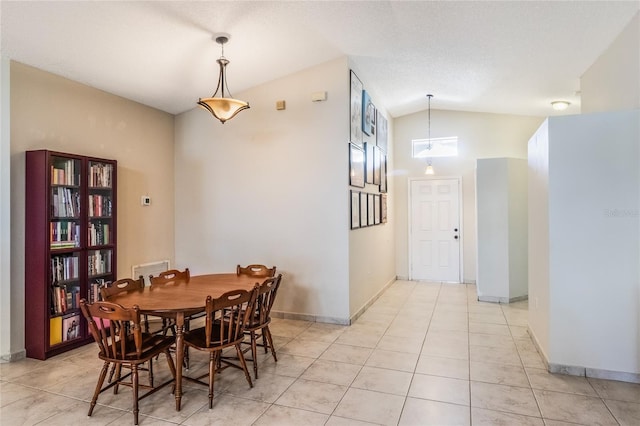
<point>258,324</point>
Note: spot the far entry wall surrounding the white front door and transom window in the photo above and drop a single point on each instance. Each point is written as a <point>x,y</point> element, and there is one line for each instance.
<point>480,135</point>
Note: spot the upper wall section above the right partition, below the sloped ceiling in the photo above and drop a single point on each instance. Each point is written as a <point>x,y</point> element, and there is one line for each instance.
<point>612,82</point>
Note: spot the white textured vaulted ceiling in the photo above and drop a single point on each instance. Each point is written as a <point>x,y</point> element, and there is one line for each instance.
<point>492,56</point>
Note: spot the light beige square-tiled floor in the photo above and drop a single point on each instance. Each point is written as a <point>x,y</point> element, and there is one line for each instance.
<point>422,354</point>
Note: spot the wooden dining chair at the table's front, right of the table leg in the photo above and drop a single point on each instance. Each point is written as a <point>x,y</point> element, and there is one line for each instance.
<point>226,318</point>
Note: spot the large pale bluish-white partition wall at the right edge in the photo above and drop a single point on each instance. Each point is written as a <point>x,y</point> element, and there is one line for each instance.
<point>593,246</point>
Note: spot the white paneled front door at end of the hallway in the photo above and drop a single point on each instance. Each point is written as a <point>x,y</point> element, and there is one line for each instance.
<point>434,229</point>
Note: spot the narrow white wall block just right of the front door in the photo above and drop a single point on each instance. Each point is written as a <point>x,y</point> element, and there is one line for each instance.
<point>501,191</point>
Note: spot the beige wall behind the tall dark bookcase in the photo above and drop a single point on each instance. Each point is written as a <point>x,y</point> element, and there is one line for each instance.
<point>50,112</point>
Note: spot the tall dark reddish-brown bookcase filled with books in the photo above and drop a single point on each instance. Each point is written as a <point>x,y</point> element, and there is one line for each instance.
<point>70,246</point>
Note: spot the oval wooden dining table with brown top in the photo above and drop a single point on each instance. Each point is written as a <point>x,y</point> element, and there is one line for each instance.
<point>183,298</point>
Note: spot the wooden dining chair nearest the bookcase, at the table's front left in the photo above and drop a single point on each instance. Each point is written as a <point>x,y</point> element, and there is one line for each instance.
<point>117,331</point>
